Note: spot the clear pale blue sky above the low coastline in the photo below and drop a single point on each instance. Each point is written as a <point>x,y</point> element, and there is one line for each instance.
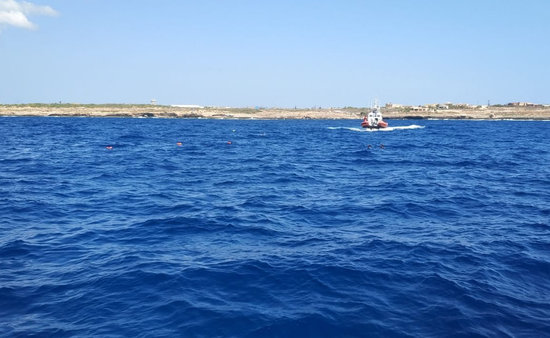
<point>275,53</point>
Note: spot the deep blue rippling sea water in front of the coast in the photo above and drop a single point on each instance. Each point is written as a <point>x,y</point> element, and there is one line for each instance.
<point>294,229</point>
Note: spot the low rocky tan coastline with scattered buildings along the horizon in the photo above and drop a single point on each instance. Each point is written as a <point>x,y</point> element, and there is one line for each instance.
<point>516,110</point>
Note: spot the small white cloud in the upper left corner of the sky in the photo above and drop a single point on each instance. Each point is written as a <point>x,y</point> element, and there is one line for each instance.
<point>15,13</point>
